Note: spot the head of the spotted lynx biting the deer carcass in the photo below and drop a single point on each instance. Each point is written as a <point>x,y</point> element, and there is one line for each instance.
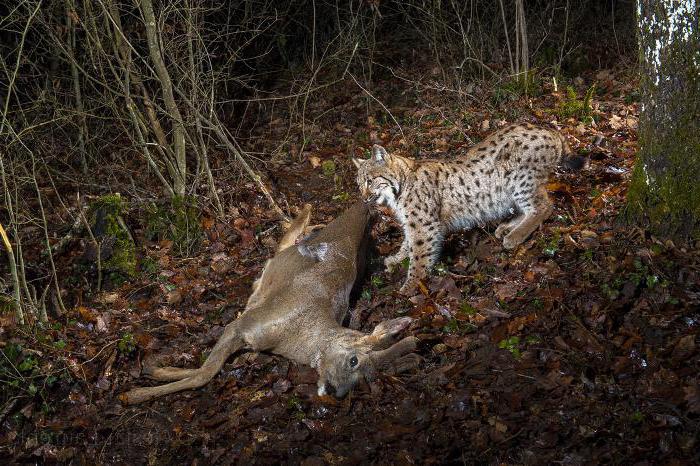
<point>380,177</point>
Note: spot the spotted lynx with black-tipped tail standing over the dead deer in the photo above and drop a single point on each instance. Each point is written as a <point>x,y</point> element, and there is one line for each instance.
<point>505,174</point>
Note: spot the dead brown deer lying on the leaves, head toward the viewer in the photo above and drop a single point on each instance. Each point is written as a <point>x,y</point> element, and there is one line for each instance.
<point>296,310</point>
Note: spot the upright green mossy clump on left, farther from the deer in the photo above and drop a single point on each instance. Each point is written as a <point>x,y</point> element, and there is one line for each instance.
<point>108,226</point>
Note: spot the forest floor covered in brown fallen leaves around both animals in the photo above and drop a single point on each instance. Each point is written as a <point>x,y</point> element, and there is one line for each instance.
<point>578,347</point>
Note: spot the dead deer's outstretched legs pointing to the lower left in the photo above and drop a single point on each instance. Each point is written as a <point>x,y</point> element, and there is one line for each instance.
<point>188,379</point>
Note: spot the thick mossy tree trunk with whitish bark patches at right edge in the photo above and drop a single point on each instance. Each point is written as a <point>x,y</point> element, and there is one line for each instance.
<point>664,193</point>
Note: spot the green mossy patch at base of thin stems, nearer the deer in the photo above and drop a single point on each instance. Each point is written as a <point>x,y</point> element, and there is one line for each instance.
<point>176,220</point>
